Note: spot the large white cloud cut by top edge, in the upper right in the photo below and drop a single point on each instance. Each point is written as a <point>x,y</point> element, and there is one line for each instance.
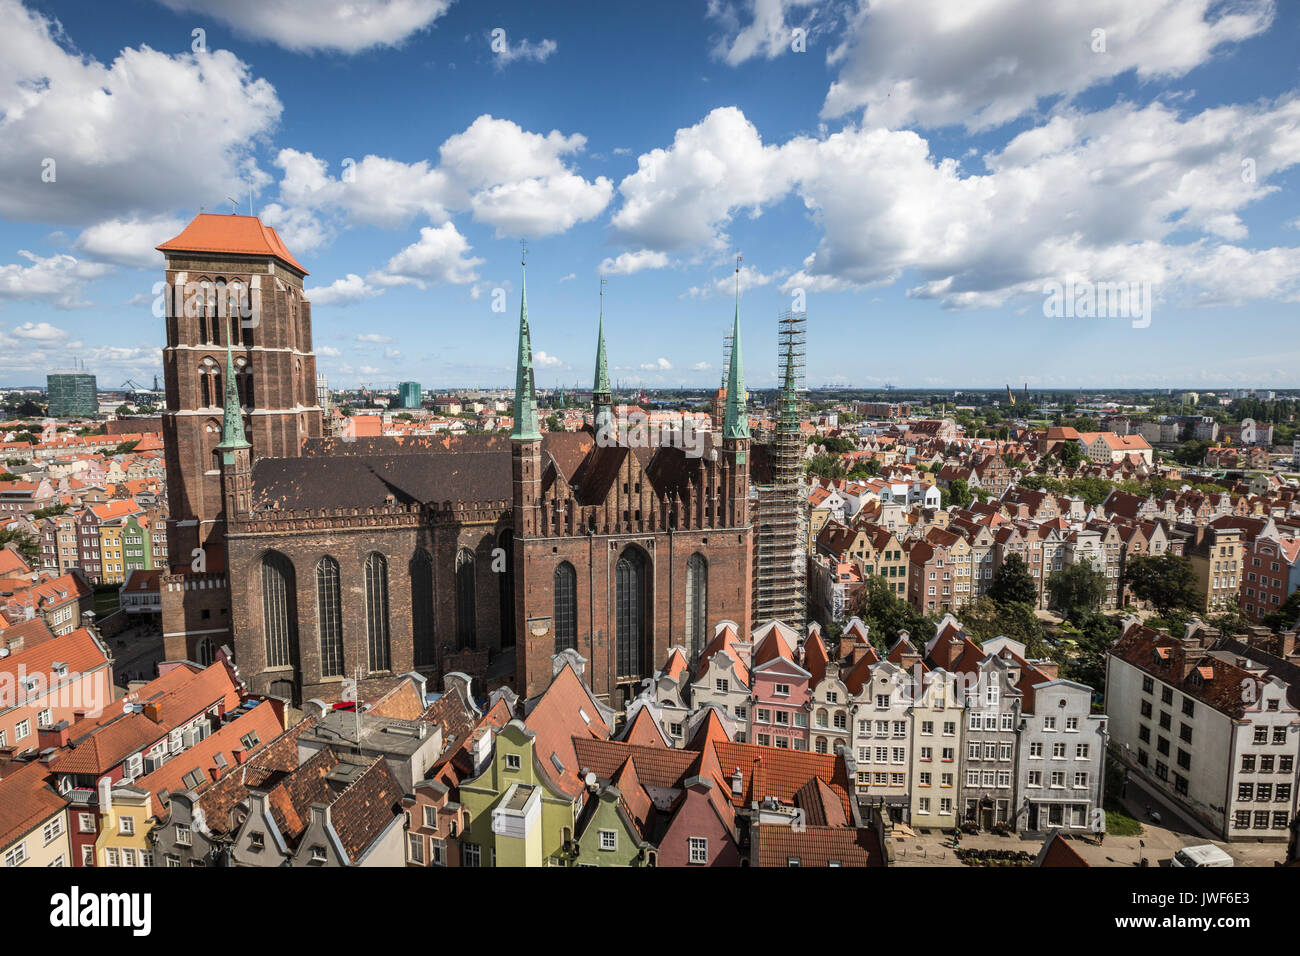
<point>983,64</point>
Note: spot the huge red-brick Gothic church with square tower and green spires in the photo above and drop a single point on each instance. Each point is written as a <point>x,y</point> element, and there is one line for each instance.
<point>317,560</point>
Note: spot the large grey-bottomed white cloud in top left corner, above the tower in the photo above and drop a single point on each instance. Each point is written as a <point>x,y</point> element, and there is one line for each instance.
<point>140,137</point>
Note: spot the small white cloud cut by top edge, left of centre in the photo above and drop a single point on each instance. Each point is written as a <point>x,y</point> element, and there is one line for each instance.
<point>345,27</point>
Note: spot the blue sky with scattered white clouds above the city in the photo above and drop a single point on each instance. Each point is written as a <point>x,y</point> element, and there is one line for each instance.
<point>918,171</point>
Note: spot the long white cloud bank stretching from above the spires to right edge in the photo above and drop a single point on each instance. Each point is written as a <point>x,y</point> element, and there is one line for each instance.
<point>1111,196</point>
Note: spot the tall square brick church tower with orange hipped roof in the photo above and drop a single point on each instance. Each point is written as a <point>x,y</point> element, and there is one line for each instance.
<point>239,349</point>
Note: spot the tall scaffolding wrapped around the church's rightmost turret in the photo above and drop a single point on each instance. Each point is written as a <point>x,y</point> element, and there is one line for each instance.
<point>781,500</point>
